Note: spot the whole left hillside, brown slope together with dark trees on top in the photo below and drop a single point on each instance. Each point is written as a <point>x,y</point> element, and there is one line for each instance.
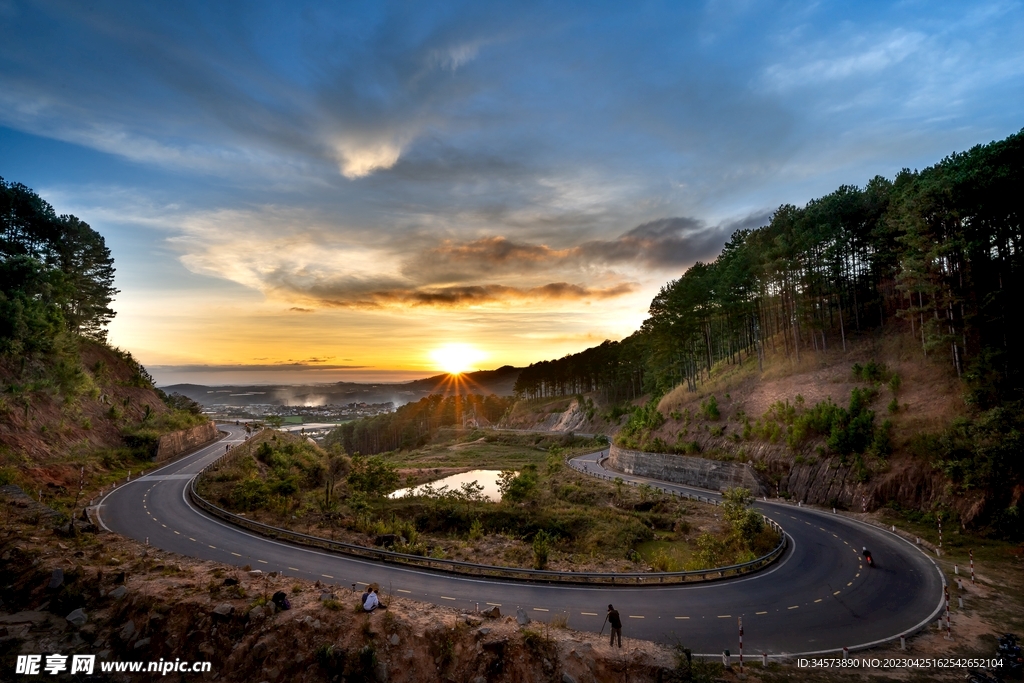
<point>74,408</point>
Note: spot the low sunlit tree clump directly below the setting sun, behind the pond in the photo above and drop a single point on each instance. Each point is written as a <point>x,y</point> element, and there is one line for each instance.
<point>413,425</point>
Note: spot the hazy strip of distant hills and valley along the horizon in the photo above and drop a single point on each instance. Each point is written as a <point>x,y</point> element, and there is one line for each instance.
<point>485,382</point>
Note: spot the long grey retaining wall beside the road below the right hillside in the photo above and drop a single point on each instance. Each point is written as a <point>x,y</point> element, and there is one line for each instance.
<point>701,473</point>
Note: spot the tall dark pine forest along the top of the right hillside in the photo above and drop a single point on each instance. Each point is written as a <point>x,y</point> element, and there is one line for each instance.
<point>940,250</point>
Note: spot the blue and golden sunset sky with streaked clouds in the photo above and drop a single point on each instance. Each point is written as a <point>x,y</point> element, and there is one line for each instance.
<point>363,191</point>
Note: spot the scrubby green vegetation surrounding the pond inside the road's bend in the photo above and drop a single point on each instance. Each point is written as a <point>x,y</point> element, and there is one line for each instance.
<point>550,516</point>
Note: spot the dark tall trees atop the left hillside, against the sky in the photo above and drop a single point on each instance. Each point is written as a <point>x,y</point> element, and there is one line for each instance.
<point>57,274</point>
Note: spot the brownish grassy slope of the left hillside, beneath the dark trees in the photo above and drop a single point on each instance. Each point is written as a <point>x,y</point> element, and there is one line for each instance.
<point>90,410</point>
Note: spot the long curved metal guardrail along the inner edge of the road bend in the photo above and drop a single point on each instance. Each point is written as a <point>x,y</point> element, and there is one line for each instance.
<point>486,571</point>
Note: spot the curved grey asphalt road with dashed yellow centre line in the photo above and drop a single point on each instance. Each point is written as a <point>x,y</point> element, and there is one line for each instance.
<point>818,597</point>
